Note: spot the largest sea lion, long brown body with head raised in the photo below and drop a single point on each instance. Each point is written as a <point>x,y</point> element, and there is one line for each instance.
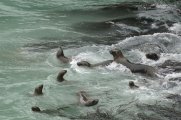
<point>135,68</point>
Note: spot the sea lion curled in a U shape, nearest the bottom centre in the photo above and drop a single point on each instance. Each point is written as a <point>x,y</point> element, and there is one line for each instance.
<point>86,101</point>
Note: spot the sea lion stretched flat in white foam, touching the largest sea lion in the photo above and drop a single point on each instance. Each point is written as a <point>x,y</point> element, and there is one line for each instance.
<point>87,64</point>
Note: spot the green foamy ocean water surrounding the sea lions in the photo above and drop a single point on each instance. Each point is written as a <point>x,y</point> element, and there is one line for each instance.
<point>32,30</point>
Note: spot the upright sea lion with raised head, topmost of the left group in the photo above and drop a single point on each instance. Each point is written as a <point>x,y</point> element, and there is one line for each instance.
<point>60,55</point>
